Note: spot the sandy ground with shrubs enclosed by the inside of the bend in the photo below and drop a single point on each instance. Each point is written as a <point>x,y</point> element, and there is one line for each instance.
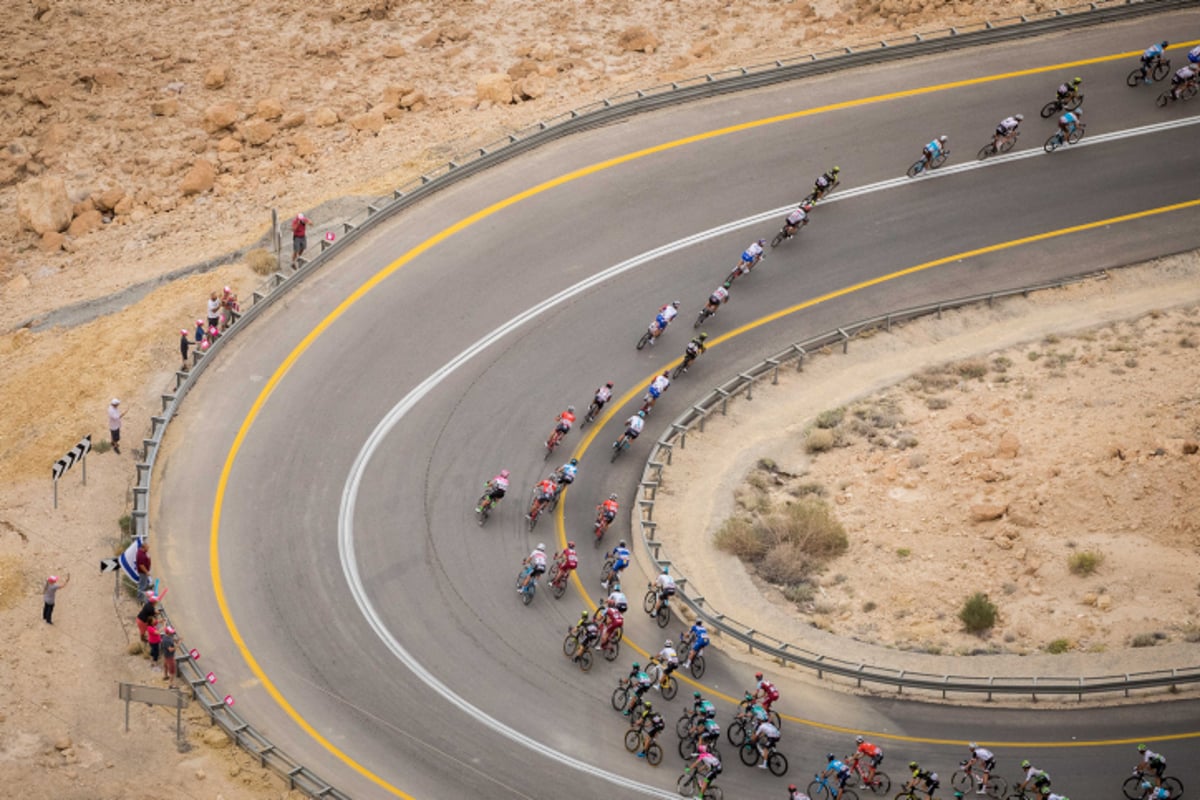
<point>1012,438</point>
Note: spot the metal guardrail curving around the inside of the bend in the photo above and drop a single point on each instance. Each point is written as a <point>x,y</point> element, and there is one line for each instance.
<point>718,400</point>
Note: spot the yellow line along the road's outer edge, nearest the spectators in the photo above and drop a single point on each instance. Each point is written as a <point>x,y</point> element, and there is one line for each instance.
<point>441,237</point>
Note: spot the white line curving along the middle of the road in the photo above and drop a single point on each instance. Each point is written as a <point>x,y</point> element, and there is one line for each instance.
<point>351,491</point>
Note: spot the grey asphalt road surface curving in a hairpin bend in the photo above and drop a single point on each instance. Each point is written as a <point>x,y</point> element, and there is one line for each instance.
<point>442,590</point>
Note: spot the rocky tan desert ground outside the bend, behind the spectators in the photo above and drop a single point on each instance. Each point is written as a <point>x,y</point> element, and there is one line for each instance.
<point>146,152</point>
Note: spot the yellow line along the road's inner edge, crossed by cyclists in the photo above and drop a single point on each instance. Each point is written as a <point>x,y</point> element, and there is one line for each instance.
<point>809,304</point>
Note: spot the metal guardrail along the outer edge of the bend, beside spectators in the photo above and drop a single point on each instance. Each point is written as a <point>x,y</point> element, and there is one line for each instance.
<point>520,142</point>
